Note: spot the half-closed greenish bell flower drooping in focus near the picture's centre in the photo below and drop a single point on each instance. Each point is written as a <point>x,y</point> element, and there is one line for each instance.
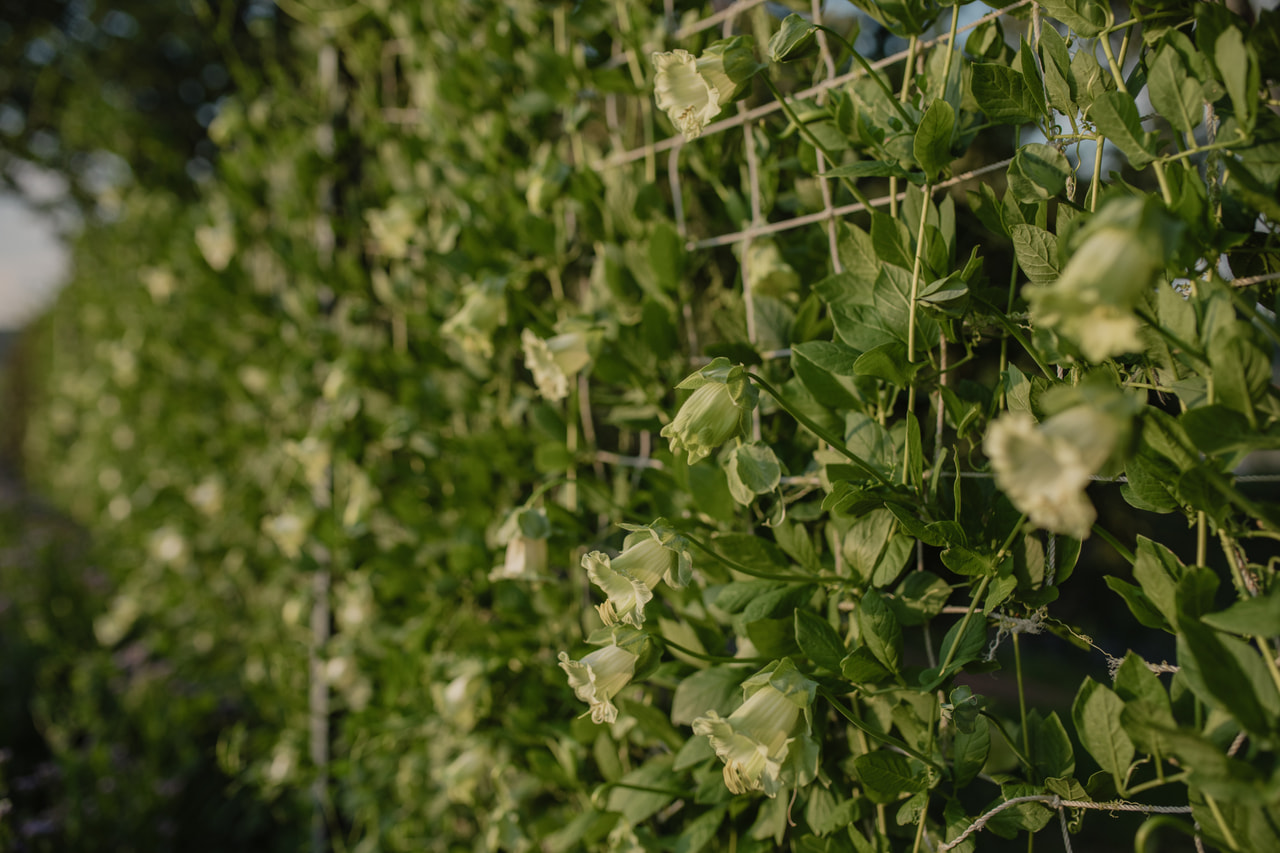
<point>719,409</point>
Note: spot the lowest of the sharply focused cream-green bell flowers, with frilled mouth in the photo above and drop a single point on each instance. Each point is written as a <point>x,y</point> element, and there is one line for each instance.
<point>756,741</point>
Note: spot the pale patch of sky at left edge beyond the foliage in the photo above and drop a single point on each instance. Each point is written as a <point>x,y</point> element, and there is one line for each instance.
<point>33,262</point>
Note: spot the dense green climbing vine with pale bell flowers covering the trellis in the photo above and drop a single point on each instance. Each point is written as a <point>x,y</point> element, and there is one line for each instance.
<point>377,435</point>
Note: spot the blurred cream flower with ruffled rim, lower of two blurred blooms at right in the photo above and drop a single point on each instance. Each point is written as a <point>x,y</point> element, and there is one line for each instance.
<point>1046,469</point>
